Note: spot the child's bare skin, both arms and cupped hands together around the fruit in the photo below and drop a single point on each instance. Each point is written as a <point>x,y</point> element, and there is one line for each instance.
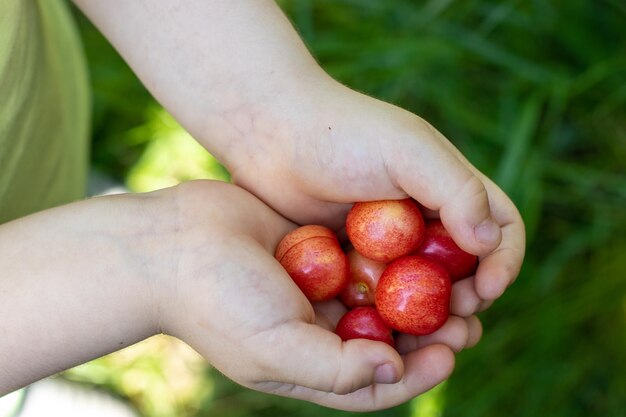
<point>238,77</point>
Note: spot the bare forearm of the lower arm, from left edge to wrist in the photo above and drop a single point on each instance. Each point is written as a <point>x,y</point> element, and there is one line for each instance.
<point>76,282</point>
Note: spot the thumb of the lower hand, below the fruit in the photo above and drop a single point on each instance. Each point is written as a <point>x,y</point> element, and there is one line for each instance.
<point>315,358</point>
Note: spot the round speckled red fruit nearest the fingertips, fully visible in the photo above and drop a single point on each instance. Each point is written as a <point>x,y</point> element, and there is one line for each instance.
<point>413,295</point>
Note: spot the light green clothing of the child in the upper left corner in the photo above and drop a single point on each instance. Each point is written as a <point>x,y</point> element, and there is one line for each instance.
<point>44,107</point>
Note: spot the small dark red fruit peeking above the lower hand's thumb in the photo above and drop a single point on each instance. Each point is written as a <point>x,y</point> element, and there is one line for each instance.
<point>364,323</point>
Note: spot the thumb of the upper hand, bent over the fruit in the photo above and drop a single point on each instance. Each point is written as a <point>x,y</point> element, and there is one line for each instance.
<point>433,175</point>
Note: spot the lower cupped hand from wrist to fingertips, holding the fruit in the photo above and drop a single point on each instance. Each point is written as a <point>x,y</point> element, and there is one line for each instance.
<point>234,303</point>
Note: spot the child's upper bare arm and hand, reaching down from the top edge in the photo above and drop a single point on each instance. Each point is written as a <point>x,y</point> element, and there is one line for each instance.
<point>238,77</point>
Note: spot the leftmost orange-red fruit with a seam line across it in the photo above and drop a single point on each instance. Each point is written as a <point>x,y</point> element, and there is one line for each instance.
<point>311,255</point>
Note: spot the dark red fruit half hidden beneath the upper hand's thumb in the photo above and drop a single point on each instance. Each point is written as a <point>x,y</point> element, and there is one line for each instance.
<point>439,246</point>
